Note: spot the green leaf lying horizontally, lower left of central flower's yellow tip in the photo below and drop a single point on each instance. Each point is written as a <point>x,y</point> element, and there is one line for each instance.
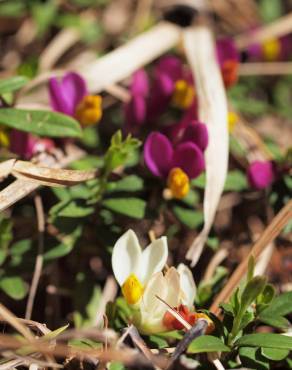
<point>131,207</point>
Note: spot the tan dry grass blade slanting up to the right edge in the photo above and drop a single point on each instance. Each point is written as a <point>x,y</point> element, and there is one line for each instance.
<point>270,233</point>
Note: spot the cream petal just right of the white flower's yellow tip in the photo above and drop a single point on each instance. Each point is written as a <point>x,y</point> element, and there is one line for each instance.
<point>150,304</point>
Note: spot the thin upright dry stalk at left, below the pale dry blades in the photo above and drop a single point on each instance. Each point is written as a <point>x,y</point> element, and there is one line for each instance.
<point>39,259</point>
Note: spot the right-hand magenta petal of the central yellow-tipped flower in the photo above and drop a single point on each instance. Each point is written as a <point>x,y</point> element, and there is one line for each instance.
<point>189,157</point>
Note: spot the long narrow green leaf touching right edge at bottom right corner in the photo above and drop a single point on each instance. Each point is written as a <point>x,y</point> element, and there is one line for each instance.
<point>270,340</point>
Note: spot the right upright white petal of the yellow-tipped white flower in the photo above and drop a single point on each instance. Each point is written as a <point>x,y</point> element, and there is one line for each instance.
<point>154,258</point>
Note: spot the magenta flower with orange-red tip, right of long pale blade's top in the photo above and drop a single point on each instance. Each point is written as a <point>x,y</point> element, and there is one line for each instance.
<point>228,59</point>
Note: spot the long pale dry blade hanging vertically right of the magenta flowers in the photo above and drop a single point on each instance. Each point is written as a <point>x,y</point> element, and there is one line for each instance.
<point>200,51</point>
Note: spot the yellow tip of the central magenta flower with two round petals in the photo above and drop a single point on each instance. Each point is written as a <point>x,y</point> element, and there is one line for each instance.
<point>178,182</point>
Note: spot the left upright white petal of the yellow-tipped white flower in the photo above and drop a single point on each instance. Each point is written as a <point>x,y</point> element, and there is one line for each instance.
<point>126,256</point>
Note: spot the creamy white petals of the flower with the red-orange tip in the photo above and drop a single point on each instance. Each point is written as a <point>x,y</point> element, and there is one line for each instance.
<point>176,287</point>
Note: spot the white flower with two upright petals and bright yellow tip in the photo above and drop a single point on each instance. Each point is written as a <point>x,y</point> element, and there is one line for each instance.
<point>133,267</point>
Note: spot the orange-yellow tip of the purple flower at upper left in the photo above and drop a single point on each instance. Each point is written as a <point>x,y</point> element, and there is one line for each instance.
<point>89,110</point>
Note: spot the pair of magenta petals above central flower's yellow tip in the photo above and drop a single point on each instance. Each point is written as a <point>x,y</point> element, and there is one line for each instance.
<point>161,156</point>
